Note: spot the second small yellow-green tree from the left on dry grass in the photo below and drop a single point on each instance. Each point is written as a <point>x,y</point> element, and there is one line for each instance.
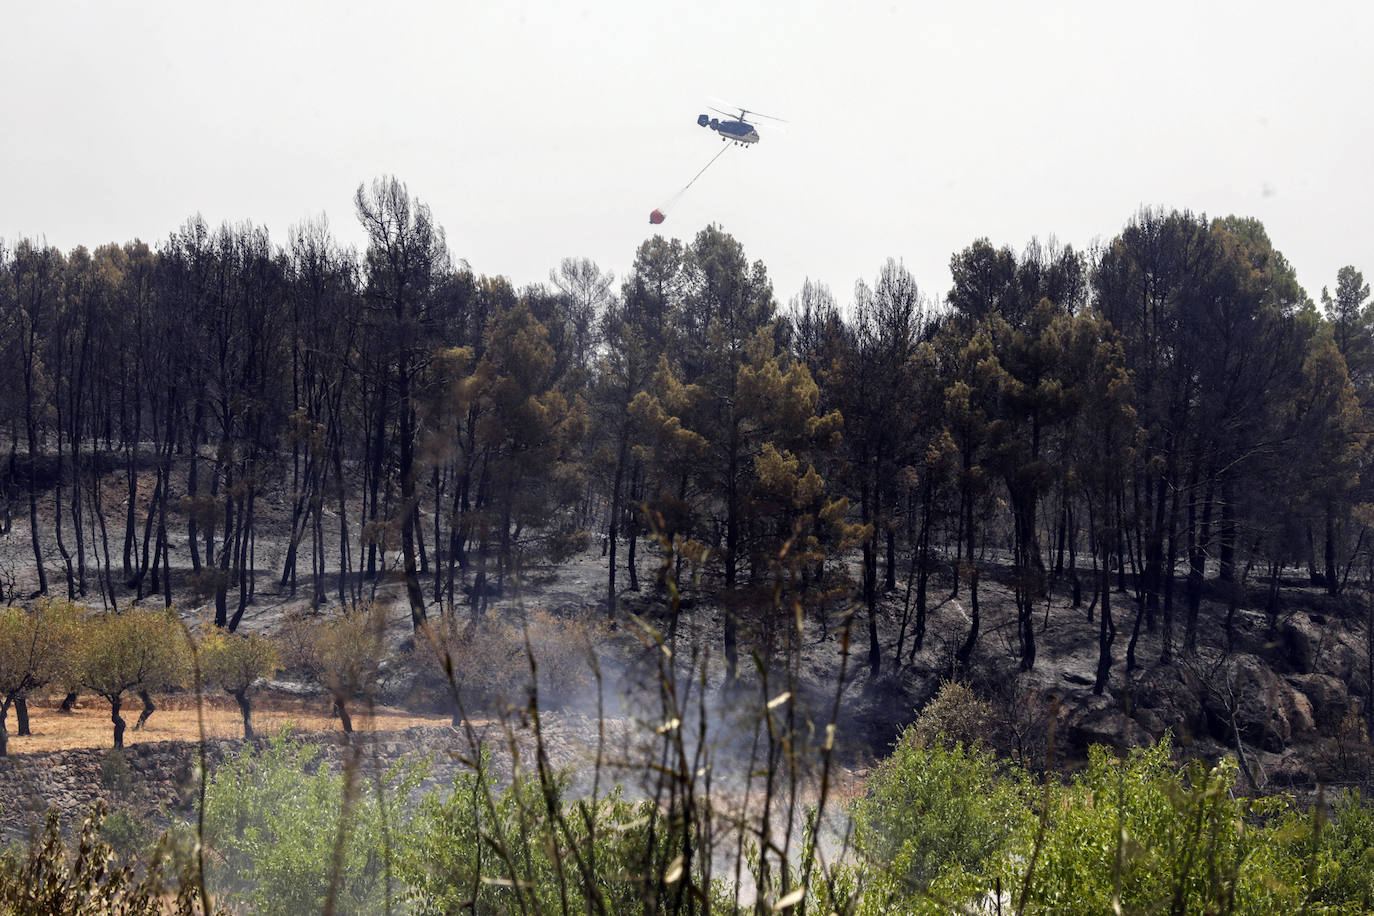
<point>134,652</point>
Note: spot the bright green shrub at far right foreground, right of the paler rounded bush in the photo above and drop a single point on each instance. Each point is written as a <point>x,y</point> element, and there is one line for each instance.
<point>1136,836</point>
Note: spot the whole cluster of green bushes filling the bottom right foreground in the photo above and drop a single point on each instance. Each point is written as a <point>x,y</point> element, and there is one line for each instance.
<point>1129,836</point>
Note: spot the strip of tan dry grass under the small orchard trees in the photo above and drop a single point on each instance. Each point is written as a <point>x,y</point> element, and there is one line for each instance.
<point>175,720</point>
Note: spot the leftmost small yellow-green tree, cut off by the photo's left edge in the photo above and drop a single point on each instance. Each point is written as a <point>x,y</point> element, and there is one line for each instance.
<point>36,649</point>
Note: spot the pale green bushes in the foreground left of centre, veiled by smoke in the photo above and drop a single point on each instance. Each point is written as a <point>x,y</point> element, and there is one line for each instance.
<point>273,827</point>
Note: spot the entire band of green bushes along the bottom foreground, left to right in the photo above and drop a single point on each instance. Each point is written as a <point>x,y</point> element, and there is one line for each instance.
<point>945,829</point>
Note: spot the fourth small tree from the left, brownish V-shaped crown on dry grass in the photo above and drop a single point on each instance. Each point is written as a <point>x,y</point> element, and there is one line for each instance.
<point>344,654</point>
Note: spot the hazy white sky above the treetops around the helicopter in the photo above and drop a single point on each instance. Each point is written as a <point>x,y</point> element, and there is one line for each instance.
<point>539,131</point>
